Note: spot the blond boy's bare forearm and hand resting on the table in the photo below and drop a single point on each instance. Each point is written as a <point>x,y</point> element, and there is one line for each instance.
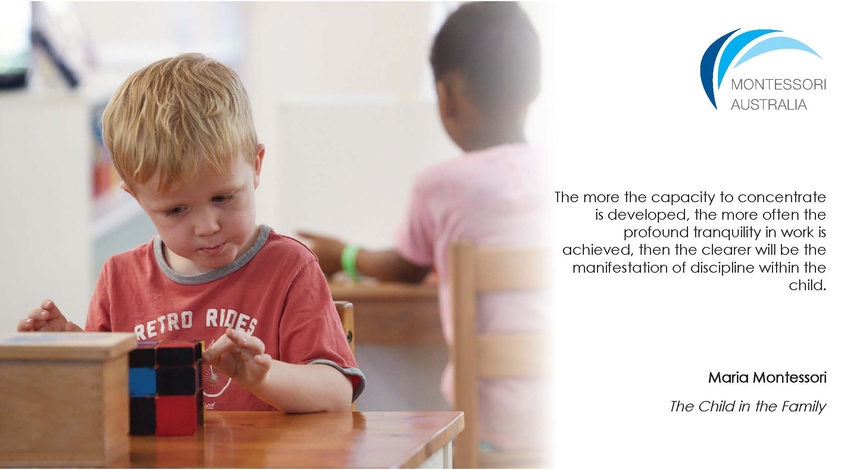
<point>293,388</point>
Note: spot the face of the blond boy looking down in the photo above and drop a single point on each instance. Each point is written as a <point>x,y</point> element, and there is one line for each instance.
<point>207,222</point>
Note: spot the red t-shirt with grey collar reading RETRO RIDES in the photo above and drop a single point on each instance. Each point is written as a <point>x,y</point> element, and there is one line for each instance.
<point>275,292</point>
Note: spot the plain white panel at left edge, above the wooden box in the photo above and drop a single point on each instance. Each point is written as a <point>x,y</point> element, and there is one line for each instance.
<point>45,213</point>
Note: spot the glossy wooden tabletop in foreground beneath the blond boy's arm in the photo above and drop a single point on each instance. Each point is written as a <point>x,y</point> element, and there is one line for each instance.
<point>239,439</point>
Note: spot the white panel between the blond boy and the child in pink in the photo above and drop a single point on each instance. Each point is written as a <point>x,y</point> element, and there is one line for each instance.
<point>346,167</point>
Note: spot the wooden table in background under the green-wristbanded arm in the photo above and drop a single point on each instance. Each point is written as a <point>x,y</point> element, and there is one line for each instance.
<point>392,313</point>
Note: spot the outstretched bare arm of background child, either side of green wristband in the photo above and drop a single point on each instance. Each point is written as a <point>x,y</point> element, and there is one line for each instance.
<point>385,265</point>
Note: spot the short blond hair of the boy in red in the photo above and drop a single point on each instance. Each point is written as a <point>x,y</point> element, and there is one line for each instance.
<point>178,118</point>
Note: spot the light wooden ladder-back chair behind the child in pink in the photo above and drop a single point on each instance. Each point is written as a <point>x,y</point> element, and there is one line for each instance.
<point>473,270</point>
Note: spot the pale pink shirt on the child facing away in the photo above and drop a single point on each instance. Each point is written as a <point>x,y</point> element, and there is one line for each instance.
<point>492,197</point>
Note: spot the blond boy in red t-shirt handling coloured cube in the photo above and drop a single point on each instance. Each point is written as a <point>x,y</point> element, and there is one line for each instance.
<point>182,138</point>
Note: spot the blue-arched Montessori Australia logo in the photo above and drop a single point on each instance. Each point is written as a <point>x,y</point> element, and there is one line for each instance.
<point>777,91</point>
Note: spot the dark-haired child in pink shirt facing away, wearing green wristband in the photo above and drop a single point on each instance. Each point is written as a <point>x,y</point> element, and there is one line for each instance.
<point>486,64</point>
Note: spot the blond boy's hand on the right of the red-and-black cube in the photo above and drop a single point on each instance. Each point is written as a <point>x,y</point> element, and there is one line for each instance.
<point>240,356</point>
